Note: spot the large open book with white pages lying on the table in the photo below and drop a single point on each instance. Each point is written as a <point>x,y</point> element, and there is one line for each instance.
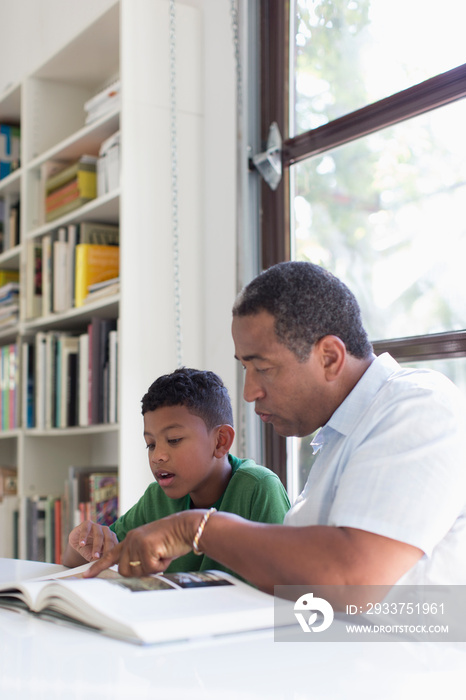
<point>147,610</point>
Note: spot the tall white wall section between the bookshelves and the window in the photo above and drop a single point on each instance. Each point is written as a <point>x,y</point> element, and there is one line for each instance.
<point>206,186</point>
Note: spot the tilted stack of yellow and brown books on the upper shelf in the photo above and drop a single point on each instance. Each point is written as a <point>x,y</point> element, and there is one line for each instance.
<point>71,187</point>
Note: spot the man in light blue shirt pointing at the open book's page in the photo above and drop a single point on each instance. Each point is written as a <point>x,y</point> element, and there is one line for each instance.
<point>385,500</point>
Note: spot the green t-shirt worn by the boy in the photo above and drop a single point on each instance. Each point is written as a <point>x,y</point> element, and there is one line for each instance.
<point>253,492</point>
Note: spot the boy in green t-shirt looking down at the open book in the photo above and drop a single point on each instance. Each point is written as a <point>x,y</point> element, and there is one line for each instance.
<point>188,429</point>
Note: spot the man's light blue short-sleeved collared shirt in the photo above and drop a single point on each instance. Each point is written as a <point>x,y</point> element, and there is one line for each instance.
<point>392,460</point>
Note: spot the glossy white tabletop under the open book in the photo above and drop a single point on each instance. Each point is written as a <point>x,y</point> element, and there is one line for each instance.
<point>39,659</point>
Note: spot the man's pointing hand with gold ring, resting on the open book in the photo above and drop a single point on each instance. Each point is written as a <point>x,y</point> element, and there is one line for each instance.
<point>149,549</point>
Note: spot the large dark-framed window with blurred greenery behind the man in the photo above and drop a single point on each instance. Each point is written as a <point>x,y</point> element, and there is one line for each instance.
<point>371,110</point>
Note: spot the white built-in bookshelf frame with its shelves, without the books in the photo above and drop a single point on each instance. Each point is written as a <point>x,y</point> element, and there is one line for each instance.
<point>49,106</point>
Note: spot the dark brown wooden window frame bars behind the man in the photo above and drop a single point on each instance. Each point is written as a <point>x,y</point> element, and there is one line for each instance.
<point>424,97</point>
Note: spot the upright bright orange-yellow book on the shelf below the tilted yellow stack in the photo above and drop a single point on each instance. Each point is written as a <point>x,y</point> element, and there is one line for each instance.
<point>94,263</point>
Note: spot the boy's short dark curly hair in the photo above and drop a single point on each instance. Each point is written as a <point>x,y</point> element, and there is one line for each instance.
<point>201,391</point>
